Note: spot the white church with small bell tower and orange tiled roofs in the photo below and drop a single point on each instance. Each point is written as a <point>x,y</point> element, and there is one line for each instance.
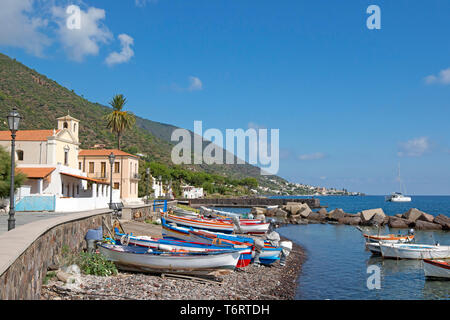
<point>49,159</point>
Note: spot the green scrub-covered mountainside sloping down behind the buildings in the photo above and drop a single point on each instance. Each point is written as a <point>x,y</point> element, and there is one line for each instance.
<point>41,100</point>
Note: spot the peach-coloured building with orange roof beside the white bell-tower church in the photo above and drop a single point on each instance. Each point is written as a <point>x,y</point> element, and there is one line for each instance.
<point>125,172</point>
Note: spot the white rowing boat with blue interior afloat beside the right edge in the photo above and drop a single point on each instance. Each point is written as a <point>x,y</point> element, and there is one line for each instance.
<point>414,251</point>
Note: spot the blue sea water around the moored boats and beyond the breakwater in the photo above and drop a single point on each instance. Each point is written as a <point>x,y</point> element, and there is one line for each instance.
<point>338,267</point>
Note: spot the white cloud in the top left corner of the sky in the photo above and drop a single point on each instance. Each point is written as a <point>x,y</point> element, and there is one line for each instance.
<point>19,29</point>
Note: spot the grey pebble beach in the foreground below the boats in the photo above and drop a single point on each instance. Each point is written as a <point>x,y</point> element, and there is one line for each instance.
<point>250,283</point>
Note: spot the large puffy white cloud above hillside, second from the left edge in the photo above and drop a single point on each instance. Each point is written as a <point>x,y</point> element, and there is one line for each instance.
<point>79,43</point>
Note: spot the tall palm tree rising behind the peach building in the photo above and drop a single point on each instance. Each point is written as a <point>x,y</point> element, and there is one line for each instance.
<point>119,120</point>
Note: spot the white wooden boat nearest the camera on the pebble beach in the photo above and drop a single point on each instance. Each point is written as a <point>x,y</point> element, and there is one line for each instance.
<point>142,259</point>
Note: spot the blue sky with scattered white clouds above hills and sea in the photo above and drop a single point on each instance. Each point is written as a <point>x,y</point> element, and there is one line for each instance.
<point>350,103</point>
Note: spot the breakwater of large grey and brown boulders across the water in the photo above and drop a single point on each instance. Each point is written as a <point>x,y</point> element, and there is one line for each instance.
<point>300,213</point>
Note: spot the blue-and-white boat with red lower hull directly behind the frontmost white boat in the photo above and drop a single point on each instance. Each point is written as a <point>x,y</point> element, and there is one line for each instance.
<point>177,245</point>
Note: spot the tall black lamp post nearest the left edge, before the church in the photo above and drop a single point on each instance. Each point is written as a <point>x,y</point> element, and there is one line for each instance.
<point>13,123</point>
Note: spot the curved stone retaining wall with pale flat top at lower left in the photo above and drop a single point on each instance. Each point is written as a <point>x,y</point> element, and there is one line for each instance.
<point>27,251</point>
